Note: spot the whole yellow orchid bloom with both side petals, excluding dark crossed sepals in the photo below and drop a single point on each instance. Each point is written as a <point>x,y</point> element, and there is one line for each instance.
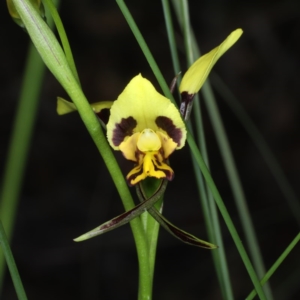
<point>145,126</point>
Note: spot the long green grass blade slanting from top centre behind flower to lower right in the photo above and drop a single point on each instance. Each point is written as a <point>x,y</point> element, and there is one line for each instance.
<point>195,152</point>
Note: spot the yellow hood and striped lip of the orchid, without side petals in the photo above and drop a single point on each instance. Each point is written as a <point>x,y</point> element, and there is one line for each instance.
<point>147,128</point>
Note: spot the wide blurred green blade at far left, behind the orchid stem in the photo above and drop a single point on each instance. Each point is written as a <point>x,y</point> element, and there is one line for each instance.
<point>20,142</point>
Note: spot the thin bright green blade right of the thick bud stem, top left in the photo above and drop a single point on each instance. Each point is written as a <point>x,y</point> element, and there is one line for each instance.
<point>63,37</point>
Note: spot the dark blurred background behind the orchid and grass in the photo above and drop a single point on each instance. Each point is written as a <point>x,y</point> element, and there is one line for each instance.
<point>67,190</point>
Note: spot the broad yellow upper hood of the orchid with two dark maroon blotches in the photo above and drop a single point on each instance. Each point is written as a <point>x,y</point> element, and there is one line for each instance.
<point>139,107</point>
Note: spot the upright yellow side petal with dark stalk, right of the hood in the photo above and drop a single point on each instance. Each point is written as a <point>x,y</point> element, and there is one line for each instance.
<point>196,75</point>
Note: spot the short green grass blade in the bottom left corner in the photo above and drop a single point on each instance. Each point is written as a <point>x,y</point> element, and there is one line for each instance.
<point>4,245</point>
